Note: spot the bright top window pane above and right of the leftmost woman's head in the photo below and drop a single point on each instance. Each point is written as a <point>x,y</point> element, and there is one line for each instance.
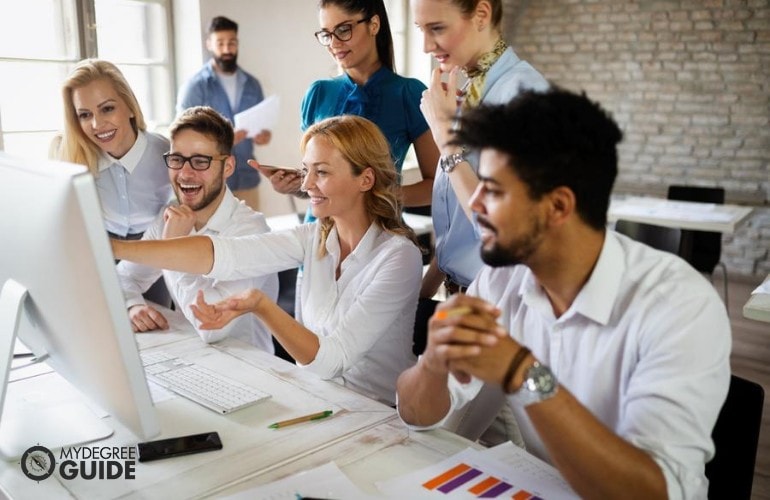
<point>131,31</point>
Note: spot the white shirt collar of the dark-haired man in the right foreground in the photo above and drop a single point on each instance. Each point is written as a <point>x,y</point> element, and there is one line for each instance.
<point>597,297</point>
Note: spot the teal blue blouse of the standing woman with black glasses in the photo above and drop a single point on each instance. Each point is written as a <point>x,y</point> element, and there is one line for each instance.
<point>391,101</point>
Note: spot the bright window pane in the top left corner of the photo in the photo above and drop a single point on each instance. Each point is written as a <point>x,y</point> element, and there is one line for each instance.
<point>38,29</point>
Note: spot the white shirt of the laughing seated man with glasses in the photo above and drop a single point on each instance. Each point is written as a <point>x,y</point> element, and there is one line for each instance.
<point>232,218</point>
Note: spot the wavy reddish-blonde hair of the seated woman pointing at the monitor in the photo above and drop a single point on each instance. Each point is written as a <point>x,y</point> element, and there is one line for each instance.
<point>364,146</point>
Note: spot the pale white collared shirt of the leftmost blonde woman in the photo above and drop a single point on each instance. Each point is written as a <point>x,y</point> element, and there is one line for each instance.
<point>135,188</point>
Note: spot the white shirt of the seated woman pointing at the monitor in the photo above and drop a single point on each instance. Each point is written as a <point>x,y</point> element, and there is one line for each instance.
<point>364,320</point>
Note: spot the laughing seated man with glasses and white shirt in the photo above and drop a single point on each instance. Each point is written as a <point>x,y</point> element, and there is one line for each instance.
<point>199,163</point>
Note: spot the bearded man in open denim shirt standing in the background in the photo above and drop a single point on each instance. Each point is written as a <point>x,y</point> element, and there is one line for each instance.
<point>226,87</point>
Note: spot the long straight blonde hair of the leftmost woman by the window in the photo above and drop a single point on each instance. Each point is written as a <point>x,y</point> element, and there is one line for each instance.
<point>75,146</point>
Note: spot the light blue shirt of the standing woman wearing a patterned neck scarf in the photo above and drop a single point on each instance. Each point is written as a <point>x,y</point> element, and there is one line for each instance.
<point>457,237</point>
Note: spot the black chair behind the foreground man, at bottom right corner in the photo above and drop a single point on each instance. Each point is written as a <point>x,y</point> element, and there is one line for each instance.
<point>736,435</point>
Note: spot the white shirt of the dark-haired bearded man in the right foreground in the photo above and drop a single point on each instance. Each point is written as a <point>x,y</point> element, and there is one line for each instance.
<point>645,347</point>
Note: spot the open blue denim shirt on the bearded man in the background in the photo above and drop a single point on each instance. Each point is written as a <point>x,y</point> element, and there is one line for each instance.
<point>204,89</point>
